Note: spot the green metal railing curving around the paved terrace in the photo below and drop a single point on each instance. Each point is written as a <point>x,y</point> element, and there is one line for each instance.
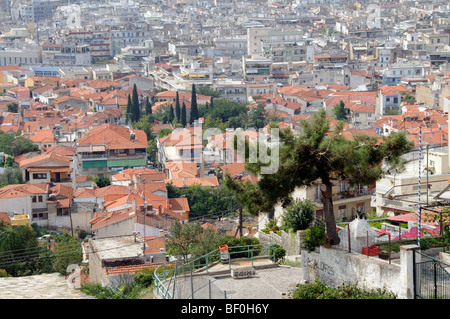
<point>166,273</point>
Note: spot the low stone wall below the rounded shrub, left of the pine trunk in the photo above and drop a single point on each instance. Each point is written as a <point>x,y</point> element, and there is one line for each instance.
<point>291,242</point>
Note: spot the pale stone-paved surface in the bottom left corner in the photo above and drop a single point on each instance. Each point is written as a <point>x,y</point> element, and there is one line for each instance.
<point>47,286</point>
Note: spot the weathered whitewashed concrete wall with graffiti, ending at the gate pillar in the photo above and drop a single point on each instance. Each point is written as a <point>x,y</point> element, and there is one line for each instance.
<point>333,267</point>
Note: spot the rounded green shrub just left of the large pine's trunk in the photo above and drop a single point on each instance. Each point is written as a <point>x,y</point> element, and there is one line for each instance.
<point>298,215</point>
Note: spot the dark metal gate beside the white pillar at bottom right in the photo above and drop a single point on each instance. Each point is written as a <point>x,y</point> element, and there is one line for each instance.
<point>431,277</point>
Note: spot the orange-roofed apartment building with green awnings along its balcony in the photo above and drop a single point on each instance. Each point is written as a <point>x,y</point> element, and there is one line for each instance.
<point>109,148</point>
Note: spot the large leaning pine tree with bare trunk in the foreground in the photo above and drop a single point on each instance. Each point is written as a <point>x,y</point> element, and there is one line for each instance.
<point>314,156</point>
